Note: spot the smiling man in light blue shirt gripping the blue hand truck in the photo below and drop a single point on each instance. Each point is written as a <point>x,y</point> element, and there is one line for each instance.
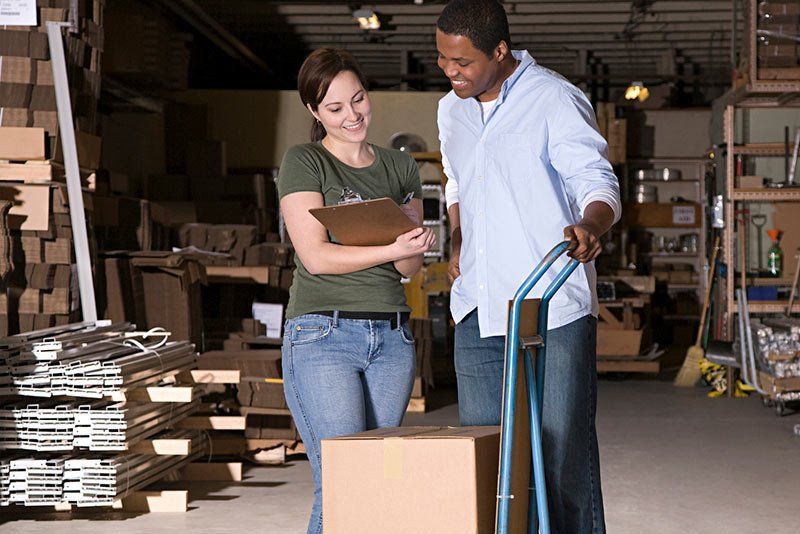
<point>526,167</point>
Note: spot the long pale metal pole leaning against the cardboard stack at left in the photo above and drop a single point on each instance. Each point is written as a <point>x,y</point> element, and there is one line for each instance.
<point>66,129</point>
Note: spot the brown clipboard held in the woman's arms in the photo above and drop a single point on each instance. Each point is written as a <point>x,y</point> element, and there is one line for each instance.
<point>369,223</point>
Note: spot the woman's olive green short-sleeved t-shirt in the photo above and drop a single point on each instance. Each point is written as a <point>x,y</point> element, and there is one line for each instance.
<point>311,167</point>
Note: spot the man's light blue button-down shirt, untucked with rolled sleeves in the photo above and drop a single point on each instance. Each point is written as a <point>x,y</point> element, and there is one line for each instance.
<point>521,175</point>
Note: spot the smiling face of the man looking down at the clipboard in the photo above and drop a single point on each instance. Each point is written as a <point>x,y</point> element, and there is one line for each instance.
<point>470,71</point>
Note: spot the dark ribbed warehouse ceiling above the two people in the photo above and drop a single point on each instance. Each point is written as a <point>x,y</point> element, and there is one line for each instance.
<point>605,42</point>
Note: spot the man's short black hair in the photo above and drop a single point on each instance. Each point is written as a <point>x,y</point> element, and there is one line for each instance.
<point>483,22</point>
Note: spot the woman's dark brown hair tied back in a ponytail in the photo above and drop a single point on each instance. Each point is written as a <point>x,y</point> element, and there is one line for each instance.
<point>315,77</point>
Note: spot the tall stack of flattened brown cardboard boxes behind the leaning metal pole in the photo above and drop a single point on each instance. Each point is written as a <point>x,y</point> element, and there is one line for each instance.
<point>41,290</point>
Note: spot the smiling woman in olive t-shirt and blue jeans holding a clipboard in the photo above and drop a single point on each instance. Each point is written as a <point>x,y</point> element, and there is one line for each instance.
<point>348,354</point>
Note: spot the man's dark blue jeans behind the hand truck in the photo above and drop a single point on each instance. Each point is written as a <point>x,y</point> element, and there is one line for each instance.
<point>569,442</point>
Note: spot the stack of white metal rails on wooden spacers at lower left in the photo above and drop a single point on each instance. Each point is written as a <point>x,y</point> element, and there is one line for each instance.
<point>102,363</point>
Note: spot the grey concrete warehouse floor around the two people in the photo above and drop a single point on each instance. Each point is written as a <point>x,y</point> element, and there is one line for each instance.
<point>673,461</point>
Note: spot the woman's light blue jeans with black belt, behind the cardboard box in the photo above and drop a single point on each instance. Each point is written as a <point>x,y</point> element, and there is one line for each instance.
<point>343,376</point>
